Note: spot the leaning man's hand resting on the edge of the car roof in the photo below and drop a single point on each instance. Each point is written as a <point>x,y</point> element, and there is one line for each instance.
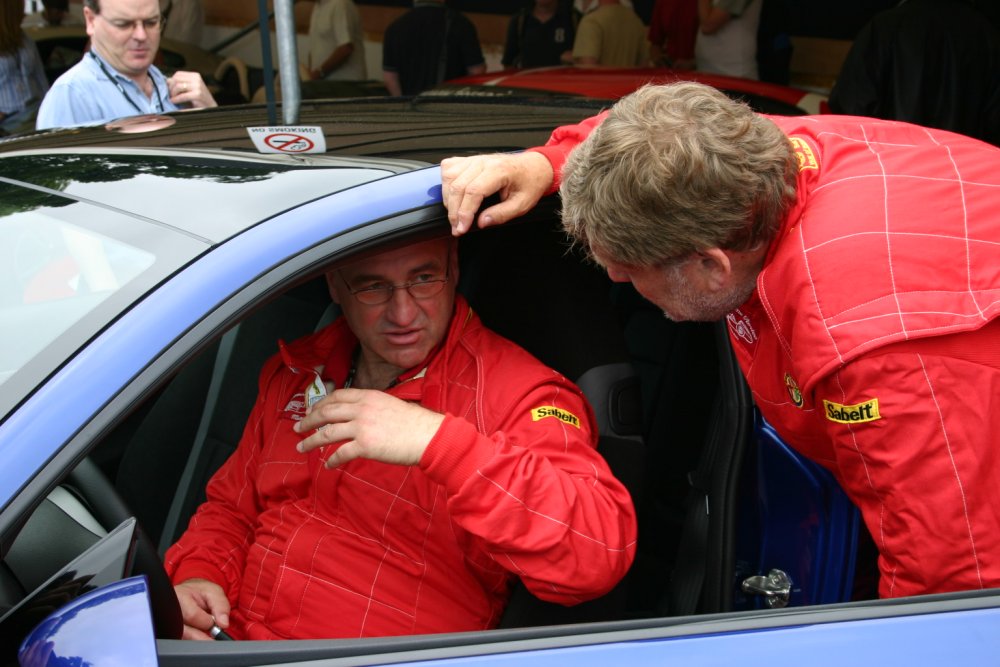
<point>521,179</point>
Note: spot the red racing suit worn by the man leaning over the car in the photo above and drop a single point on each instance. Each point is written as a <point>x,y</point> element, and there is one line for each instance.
<point>872,342</point>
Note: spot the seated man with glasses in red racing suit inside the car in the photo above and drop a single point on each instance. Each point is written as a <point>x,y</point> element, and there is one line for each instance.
<point>399,469</point>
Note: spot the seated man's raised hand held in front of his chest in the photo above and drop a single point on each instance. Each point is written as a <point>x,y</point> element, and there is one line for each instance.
<point>369,424</point>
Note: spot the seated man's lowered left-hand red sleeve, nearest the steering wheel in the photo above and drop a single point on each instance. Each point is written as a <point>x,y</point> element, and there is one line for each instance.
<point>215,544</point>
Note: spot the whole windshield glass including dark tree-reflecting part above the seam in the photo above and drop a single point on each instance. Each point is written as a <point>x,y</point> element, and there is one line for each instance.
<point>86,235</point>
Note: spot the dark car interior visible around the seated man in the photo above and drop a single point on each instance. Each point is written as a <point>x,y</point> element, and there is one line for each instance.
<point>673,411</point>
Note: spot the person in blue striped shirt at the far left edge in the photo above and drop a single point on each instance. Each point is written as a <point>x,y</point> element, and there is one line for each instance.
<point>22,75</point>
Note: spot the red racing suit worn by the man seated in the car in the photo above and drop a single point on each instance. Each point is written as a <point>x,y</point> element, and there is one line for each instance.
<point>511,484</point>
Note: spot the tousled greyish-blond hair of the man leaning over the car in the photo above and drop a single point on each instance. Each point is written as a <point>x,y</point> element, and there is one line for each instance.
<point>675,169</point>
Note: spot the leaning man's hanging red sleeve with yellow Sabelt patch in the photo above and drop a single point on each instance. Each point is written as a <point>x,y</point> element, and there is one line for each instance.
<point>912,435</point>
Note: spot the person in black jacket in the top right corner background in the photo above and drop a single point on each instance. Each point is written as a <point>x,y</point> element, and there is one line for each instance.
<point>931,62</point>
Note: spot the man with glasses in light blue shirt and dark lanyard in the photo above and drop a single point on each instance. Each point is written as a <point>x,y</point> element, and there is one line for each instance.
<point>117,78</point>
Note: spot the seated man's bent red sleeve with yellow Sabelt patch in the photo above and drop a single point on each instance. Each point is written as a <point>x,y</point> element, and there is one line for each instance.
<point>537,496</point>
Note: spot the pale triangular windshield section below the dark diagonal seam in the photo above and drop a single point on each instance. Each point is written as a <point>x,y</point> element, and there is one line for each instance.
<point>69,268</point>
